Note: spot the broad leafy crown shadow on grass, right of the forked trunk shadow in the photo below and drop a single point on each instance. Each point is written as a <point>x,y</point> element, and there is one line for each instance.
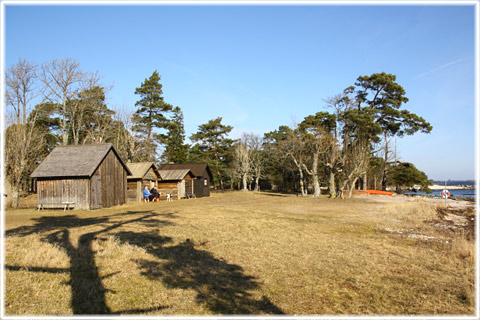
<point>222,287</point>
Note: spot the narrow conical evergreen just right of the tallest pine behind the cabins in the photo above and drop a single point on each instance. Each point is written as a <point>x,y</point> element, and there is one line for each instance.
<point>175,148</point>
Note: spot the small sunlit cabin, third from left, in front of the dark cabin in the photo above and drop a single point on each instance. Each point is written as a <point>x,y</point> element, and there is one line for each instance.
<point>178,183</point>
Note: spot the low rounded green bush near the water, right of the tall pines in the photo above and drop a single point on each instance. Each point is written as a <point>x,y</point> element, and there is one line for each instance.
<point>405,175</point>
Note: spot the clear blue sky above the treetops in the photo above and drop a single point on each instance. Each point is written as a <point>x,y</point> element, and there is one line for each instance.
<point>262,66</point>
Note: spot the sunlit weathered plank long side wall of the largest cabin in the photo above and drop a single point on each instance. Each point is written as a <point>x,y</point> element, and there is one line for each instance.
<point>53,192</point>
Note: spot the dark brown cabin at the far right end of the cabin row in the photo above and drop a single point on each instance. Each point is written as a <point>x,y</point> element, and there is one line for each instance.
<point>202,173</point>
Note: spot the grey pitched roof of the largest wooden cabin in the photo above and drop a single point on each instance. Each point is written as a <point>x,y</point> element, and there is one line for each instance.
<point>74,161</point>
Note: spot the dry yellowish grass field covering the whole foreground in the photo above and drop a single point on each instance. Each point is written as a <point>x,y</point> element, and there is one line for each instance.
<point>239,253</point>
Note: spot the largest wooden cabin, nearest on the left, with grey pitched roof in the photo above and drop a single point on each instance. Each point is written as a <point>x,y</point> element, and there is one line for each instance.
<point>81,177</point>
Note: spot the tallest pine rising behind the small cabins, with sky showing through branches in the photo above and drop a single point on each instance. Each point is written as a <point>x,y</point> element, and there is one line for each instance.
<point>150,116</point>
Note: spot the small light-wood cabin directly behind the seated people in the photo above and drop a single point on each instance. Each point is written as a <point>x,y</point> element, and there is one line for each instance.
<point>144,174</point>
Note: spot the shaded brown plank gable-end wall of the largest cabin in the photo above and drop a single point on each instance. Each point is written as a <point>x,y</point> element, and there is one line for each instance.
<point>111,182</point>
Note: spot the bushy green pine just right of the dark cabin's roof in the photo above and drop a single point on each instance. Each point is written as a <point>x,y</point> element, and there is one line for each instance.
<point>215,147</point>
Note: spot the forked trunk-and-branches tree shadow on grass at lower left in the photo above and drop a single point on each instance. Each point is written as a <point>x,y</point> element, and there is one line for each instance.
<point>88,292</point>
